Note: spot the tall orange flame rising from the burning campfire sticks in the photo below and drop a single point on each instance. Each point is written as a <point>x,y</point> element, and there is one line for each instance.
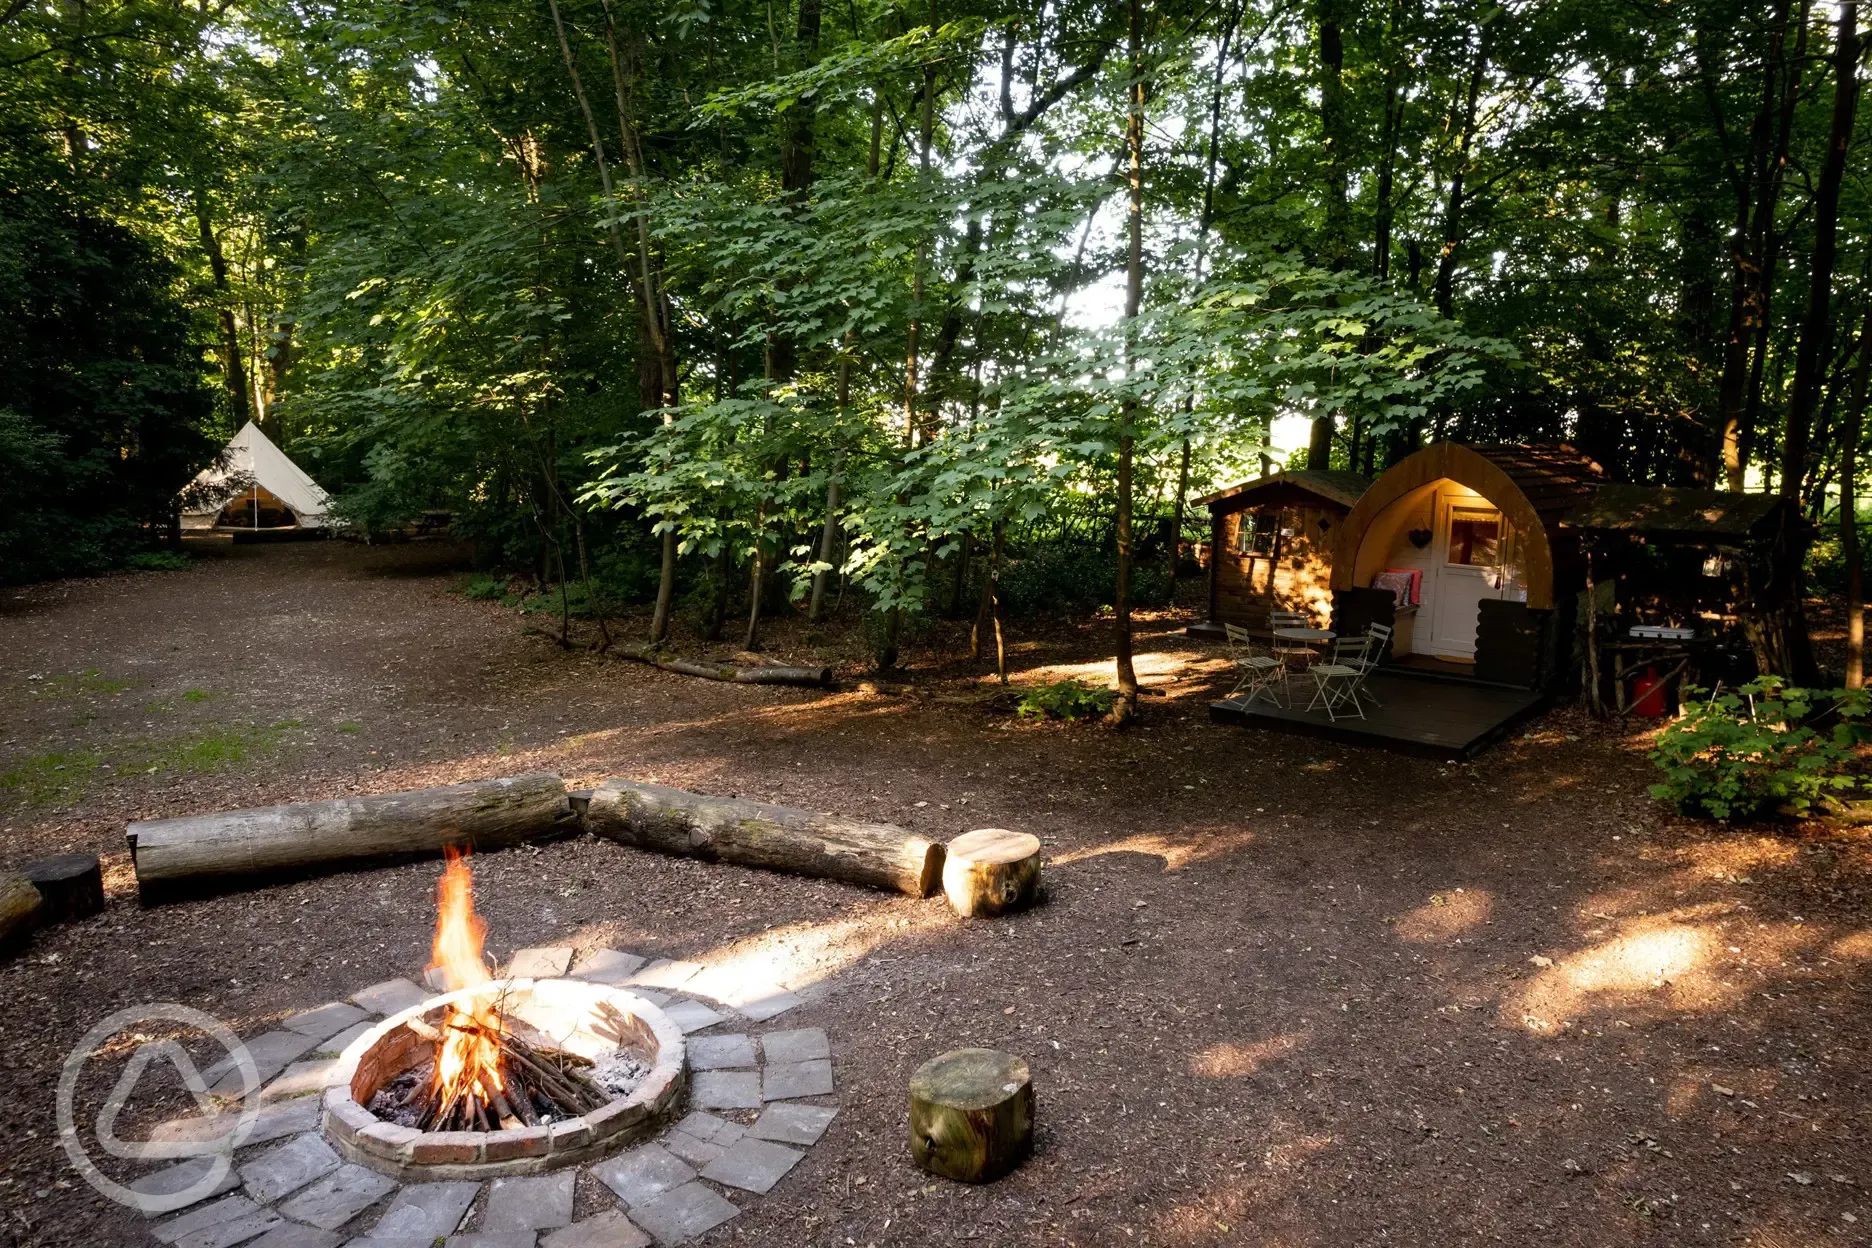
<point>469,1054</point>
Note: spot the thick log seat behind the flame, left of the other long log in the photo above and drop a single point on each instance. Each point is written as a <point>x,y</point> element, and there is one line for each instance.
<point>214,850</point>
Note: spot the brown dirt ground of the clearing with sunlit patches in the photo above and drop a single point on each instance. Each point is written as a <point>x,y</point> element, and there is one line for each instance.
<point>1283,993</point>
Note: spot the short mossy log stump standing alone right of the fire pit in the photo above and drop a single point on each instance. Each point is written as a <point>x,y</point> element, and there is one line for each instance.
<point>971,1114</point>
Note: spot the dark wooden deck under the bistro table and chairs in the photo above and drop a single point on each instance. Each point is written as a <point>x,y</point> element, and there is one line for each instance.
<point>1424,718</point>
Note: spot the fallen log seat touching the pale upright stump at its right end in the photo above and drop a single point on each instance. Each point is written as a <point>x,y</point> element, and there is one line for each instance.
<point>755,834</point>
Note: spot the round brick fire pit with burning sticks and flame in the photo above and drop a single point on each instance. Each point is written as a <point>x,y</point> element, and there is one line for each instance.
<point>503,1077</point>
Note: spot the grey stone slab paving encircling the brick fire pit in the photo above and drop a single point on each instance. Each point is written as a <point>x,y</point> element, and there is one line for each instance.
<point>757,1101</point>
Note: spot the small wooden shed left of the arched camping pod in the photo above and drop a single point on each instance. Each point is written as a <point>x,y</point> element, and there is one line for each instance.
<point>1272,547</point>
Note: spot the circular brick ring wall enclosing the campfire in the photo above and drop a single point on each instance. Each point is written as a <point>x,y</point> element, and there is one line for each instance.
<point>581,1017</point>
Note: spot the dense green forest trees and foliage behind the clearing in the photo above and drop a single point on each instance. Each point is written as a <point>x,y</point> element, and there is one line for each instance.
<point>753,308</point>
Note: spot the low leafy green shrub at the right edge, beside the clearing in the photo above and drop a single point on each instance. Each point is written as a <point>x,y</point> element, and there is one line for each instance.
<point>1761,747</point>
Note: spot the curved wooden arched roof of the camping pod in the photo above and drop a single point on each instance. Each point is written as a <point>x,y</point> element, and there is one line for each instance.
<point>1532,486</point>
